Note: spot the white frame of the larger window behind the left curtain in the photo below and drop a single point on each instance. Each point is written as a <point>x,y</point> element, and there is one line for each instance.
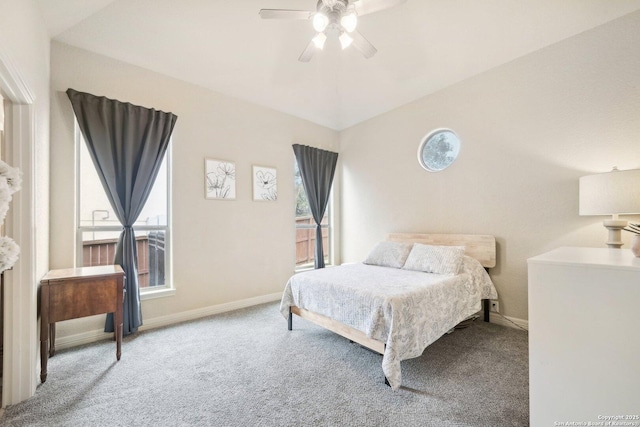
<point>145,293</point>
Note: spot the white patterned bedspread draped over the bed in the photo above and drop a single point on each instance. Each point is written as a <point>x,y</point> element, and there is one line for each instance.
<point>406,310</point>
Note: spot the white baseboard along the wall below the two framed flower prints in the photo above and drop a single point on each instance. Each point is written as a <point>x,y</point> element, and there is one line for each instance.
<point>157,322</point>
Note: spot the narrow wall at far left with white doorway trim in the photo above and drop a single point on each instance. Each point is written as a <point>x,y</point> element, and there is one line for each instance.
<point>24,62</point>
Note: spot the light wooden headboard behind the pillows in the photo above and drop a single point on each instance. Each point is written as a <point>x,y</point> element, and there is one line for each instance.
<point>480,247</point>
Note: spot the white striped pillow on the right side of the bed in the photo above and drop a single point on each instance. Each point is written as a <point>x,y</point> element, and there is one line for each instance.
<point>435,259</point>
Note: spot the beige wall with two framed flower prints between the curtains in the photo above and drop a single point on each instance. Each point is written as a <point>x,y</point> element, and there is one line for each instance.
<point>223,251</point>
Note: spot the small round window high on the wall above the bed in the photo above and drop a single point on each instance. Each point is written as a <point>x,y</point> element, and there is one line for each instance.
<point>438,150</point>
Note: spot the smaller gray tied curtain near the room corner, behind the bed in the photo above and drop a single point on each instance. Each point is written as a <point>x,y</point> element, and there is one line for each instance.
<point>317,168</point>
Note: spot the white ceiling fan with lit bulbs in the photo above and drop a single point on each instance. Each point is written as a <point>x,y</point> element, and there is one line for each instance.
<point>335,16</point>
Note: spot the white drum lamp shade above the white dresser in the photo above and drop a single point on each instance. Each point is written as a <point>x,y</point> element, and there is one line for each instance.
<point>611,193</point>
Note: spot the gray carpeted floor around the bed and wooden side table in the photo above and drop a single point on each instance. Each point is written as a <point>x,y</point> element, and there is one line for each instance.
<point>244,368</point>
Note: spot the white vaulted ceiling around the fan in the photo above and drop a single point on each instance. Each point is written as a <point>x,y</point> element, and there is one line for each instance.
<point>423,46</point>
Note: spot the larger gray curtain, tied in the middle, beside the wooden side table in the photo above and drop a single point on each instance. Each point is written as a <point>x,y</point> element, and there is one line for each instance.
<point>127,144</point>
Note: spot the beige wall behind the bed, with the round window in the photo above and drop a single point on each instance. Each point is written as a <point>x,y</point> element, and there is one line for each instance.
<point>529,130</point>
